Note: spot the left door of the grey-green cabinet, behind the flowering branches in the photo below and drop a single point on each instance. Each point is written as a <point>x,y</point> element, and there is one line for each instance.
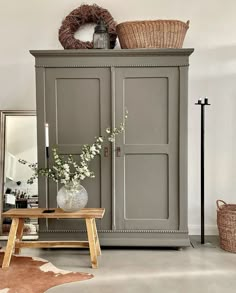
<point>77,110</point>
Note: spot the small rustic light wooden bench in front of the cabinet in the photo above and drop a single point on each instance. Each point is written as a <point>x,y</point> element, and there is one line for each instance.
<point>18,217</point>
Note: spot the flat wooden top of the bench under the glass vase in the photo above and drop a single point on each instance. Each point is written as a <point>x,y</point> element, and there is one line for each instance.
<point>86,213</point>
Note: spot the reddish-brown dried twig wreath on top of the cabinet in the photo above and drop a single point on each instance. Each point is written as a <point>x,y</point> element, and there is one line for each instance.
<point>83,15</point>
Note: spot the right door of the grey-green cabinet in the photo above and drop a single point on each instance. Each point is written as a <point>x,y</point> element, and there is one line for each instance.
<point>146,178</point>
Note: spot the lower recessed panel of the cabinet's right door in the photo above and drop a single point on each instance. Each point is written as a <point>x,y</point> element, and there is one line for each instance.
<point>145,175</point>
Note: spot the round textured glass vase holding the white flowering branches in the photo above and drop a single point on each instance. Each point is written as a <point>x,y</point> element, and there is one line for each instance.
<point>72,197</point>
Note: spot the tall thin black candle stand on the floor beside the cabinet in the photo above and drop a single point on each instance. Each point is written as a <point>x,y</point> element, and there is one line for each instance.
<point>202,103</point>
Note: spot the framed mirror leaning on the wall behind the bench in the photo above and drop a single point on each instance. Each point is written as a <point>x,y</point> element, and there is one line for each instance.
<point>18,141</point>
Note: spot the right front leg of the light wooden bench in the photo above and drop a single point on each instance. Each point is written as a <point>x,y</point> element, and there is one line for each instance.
<point>92,242</point>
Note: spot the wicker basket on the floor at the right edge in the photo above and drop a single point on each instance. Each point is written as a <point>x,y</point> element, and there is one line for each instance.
<point>226,221</point>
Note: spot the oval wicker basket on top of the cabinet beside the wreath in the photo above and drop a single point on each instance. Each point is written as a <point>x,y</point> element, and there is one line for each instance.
<point>152,34</point>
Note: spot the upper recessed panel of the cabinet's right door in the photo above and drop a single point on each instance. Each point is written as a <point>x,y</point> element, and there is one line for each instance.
<point>149,101</point>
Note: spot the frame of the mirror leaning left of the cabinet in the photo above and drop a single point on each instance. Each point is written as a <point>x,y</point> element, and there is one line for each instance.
<point>3,115</point>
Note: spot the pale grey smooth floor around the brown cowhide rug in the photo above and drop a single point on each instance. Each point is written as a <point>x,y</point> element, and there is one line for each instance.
<point>206,269</point>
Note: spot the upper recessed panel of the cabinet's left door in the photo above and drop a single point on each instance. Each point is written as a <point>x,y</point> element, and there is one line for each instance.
<point>80,98</point>
